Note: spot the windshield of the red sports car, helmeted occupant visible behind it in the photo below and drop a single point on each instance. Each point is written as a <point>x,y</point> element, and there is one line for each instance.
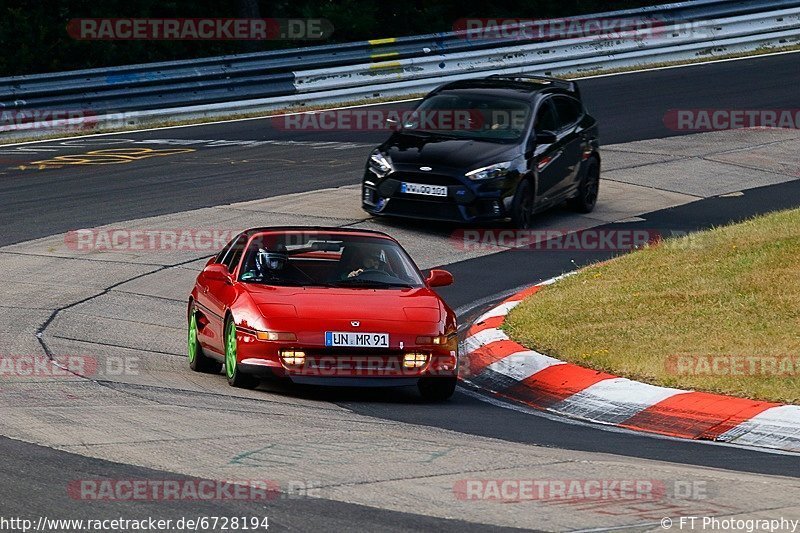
<point>327,260</point>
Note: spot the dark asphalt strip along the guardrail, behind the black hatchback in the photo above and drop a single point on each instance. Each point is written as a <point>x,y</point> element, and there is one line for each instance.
<point>43,202</point>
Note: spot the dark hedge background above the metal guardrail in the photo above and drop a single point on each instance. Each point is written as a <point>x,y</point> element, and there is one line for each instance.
<point>34,37</point>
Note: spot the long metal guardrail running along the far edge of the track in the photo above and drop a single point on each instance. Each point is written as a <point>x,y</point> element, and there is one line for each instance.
<point>384,67</point>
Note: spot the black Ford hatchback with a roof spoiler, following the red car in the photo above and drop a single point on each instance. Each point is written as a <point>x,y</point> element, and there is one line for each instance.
<point>523,144</point>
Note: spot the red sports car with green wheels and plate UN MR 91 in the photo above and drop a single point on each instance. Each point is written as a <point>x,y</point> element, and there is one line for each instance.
<point>325,306</point>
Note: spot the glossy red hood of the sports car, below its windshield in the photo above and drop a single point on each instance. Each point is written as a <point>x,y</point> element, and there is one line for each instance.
<point>337,304</point>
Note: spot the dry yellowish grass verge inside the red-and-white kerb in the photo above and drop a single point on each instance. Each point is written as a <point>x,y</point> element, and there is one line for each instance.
<point>716,311</point>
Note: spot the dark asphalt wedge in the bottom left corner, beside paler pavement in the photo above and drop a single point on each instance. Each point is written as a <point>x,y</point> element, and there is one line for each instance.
<point>43,467</point>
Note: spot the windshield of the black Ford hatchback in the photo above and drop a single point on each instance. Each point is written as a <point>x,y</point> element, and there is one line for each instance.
<point>468,116</point>
